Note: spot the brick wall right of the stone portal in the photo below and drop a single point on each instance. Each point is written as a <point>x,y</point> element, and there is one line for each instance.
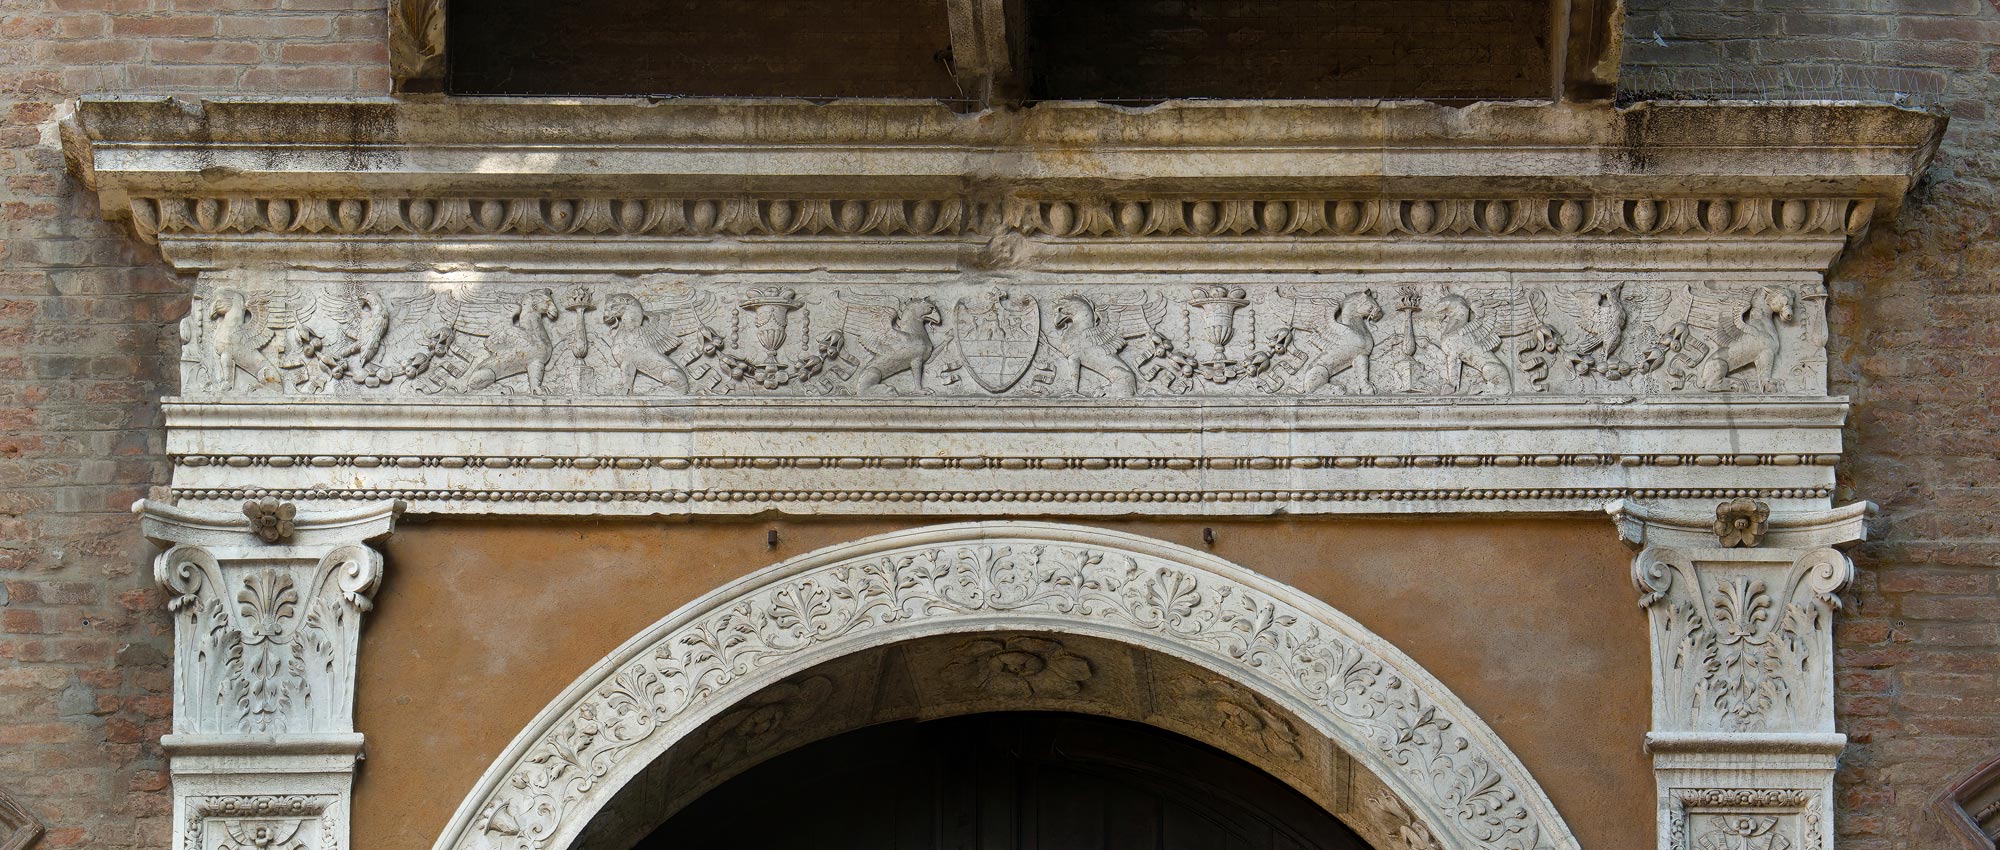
<point>1917,333</point>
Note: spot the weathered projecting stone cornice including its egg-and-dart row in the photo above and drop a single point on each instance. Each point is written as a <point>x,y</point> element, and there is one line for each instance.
<point>1349,185</point>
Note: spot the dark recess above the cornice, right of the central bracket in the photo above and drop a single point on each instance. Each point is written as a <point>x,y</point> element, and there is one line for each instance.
<point>1287,49</point>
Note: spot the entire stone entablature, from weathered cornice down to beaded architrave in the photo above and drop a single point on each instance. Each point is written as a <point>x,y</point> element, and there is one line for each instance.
<point>885,307</point>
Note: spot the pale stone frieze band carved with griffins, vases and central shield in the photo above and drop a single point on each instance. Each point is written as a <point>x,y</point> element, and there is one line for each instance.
<point>831,339</point>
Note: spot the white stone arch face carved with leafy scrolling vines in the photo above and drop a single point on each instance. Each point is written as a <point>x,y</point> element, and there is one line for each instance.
<point>1457,779</point>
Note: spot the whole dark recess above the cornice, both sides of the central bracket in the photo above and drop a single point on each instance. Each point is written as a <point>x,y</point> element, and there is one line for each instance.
<point>1121,51</point>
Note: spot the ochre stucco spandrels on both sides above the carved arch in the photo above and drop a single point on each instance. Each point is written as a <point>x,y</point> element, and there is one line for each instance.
<point>1531,623</point>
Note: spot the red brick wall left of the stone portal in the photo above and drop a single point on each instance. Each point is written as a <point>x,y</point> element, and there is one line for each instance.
<point>87,323</point>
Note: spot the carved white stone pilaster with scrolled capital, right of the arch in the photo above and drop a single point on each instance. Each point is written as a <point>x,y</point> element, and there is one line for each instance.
<point>1741,605</point>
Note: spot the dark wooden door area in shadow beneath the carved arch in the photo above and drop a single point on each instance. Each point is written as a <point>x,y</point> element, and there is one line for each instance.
<point>1005,783</point>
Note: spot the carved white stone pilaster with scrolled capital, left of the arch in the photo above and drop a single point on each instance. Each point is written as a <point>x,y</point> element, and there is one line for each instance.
<point>267,617</point>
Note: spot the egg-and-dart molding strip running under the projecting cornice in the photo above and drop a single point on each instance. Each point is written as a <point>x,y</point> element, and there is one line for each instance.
<point>1065,219</point>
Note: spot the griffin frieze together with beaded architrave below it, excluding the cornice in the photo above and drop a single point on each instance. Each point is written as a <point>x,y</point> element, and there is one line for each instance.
<point>1003,393</point>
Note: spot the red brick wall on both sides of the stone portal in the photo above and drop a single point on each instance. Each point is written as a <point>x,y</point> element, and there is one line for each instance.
<point>87,331</point>
